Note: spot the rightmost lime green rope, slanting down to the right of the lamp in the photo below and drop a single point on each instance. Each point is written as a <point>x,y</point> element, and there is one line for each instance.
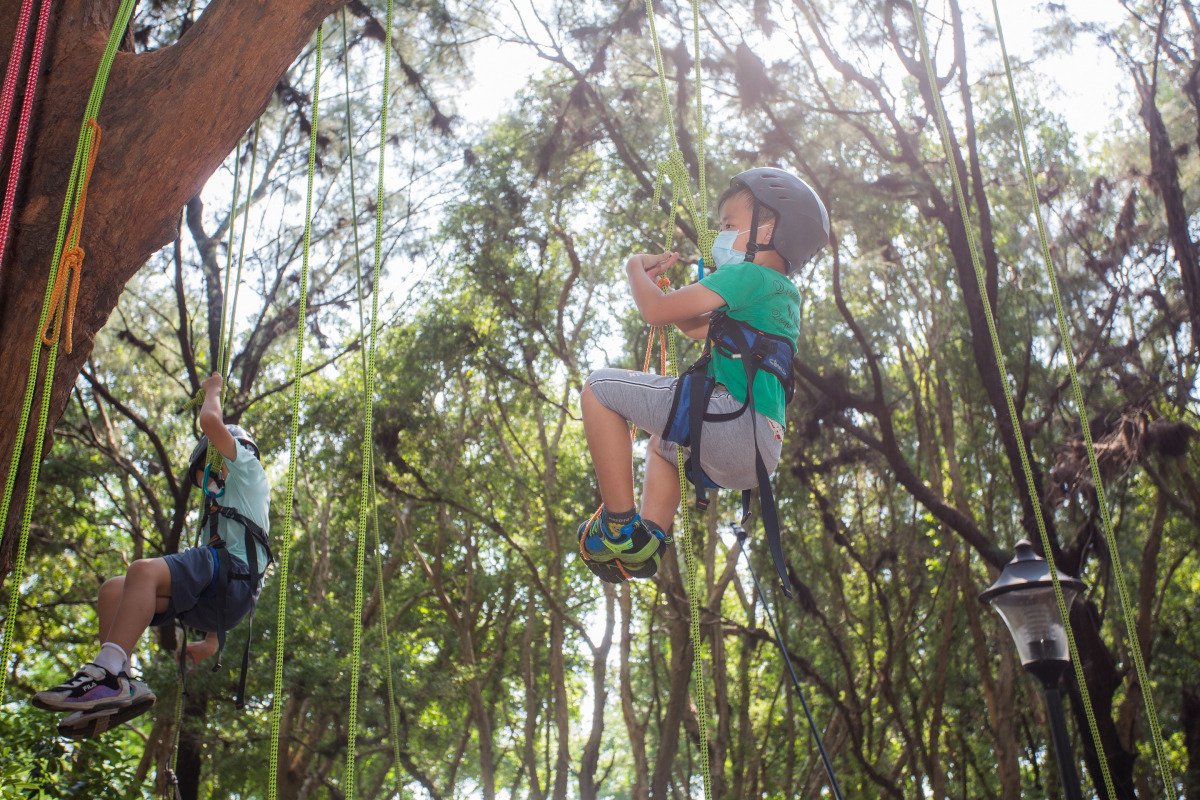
<point>1107,522</point>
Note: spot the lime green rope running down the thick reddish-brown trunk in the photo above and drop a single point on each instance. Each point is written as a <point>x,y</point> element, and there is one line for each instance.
<point>82,147</point>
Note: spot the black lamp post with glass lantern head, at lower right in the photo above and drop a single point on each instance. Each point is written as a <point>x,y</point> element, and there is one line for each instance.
<point>1024,598</point>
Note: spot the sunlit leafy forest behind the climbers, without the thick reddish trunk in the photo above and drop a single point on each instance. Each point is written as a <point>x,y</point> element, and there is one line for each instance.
<point>502,290</point>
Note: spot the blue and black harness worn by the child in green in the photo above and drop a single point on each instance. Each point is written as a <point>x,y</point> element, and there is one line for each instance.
<point>689,412</point>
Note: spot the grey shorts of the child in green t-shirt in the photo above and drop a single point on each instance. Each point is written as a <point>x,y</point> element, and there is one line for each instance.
<point>727,452</point>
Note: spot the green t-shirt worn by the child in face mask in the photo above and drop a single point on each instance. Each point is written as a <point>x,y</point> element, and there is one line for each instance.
<point>767,300</point>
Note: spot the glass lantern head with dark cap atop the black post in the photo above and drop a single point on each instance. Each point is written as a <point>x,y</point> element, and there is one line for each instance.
<point>1024,598</point>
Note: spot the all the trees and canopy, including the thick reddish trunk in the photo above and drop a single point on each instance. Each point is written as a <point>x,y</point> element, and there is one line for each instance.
<point>507,670</point>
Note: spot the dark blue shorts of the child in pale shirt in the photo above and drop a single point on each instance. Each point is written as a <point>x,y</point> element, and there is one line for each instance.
<point>194,591</point>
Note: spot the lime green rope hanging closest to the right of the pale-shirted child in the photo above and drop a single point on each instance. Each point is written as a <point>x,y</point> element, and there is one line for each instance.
<point>293,437</point>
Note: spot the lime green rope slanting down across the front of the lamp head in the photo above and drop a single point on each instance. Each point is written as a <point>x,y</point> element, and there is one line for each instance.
<point>1035,503</point>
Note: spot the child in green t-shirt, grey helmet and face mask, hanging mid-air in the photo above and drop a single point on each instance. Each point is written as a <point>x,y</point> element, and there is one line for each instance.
<point>771,225</point>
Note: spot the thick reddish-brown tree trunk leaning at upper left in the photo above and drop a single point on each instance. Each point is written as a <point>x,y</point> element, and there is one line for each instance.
<point>169,119</point>
